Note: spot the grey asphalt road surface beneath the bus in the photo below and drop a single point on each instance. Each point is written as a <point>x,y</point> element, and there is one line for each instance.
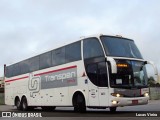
<point>142,112</point>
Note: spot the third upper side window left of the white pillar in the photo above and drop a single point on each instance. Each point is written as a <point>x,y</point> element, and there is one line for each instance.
<point>45,60</point>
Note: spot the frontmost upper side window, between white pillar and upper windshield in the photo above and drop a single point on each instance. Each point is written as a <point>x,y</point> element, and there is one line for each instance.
<point>92,48</point>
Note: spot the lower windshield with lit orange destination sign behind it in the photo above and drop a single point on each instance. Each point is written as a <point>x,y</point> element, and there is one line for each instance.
<point>130,74</point>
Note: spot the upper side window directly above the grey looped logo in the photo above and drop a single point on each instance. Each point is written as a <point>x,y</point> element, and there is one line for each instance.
<point>34,63</point>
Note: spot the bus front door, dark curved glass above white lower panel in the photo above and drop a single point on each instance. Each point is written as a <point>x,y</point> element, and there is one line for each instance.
<point>98,84</point>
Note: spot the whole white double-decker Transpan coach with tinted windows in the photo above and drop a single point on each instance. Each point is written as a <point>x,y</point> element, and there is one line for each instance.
<point>96,72</point>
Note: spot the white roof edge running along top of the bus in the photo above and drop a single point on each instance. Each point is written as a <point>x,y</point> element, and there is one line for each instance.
<point>81,38</point>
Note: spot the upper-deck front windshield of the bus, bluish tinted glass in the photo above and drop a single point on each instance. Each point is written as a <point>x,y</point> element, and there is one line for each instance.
<point>120,47</point>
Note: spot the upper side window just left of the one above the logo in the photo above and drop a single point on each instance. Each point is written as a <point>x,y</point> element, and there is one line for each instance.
<point>24,66</point>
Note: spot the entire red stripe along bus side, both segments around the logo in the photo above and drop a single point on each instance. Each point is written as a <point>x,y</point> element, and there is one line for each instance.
<point>42,73</point>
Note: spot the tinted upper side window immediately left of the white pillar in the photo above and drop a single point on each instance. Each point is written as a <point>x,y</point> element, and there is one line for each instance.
<point>73,52</point>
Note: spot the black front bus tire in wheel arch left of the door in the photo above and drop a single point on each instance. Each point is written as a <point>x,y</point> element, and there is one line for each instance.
<point>79,104</point>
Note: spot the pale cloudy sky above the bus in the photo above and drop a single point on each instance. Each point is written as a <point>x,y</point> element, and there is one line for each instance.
<point>30,27</point>
